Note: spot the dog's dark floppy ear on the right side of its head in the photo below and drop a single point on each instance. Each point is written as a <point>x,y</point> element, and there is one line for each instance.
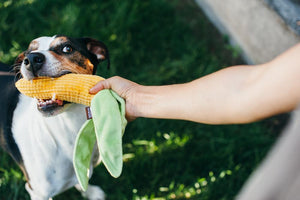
<point>99,49</point>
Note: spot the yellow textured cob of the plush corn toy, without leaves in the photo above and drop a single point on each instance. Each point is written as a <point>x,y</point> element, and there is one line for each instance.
<point>70,87</point>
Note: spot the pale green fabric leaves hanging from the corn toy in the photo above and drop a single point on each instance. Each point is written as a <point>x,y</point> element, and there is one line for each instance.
<point>106,128</point>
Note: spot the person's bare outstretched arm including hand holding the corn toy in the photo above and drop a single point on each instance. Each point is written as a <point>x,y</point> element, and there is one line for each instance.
<point>238,94</point>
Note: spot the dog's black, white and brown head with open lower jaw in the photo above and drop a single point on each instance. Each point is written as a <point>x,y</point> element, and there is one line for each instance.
<point>56,56</point>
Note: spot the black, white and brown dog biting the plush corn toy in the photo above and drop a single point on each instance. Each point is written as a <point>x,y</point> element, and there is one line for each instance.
<point>40,133</point>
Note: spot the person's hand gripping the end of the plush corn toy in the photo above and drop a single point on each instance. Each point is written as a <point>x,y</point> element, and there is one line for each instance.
<point>125,89</point>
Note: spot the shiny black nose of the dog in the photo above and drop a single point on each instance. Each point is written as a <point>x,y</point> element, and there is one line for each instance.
<point>34,61</point>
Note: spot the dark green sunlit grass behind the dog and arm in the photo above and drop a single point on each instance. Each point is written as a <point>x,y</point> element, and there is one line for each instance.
<point>150,42</point>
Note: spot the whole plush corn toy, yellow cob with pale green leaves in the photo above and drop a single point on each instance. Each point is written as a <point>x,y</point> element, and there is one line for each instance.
<point>106,126</point>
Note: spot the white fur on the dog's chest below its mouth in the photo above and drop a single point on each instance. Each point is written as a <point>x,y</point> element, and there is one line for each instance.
<point>46,144</point>
